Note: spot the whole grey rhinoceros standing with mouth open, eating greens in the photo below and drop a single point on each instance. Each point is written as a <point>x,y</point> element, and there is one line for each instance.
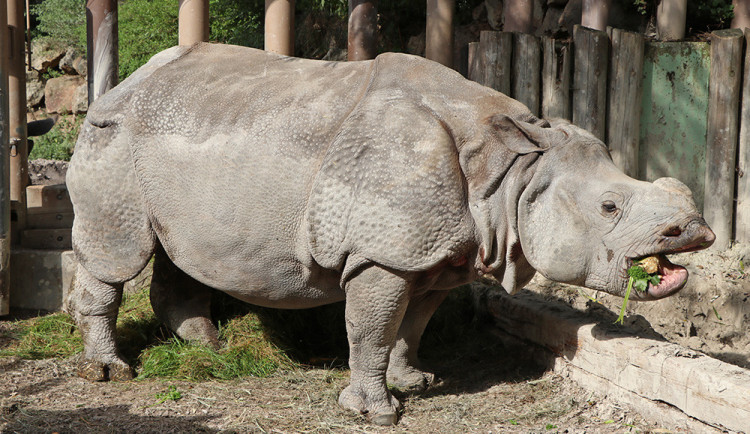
<point>293,183</point>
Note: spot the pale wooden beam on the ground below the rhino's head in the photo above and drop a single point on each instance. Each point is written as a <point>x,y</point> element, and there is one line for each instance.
<point>665,382</point>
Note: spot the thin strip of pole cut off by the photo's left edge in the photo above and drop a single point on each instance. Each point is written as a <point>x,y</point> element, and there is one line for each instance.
<point>4,170</point>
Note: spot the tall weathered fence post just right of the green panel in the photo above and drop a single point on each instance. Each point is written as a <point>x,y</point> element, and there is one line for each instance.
<point>723,106</point>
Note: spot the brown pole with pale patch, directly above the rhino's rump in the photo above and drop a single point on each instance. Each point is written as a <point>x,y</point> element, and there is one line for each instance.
<point>102,46</point>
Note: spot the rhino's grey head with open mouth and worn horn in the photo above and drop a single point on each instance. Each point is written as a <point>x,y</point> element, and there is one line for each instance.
<point>584,222</point>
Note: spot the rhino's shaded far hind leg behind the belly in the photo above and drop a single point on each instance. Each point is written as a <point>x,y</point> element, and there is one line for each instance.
<point>182,303</point>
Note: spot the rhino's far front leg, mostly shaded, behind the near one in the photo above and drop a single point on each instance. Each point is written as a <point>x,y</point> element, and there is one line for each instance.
<point>404,369</point>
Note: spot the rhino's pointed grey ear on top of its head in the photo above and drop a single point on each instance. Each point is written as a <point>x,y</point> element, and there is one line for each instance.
<point>525,137</point>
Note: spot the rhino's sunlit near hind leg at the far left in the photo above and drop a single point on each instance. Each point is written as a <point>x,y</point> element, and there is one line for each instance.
<point>94,306</point>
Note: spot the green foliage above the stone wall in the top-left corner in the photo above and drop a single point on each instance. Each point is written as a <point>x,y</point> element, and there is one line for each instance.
<point>63,21</point>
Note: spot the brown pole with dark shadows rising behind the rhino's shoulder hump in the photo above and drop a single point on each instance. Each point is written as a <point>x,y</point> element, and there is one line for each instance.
<point>363,30</point>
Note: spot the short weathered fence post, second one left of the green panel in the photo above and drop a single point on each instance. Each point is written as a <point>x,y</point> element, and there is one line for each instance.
<point>590,80</point>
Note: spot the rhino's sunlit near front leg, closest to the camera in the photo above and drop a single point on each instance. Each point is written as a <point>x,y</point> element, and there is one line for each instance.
<point>376,300</point>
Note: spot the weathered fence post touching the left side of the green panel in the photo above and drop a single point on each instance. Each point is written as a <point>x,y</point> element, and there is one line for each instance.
<point>625,88</point>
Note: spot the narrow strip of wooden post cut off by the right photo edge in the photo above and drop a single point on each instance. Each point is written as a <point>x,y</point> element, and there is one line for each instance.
<point>742,225</point>
